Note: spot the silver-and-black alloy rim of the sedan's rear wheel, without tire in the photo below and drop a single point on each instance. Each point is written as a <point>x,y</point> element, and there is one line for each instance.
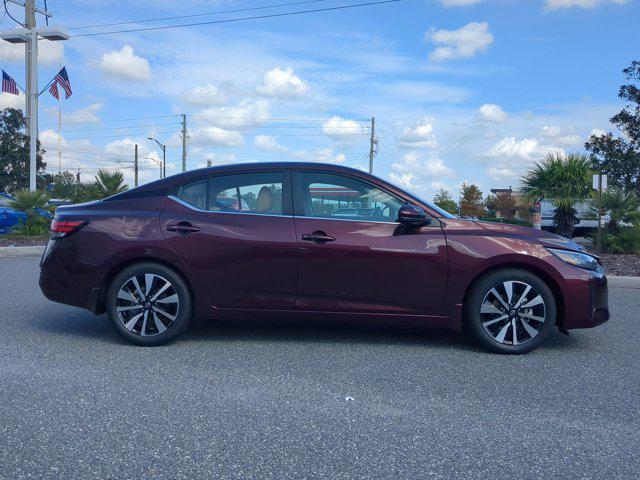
<point>147,304</point>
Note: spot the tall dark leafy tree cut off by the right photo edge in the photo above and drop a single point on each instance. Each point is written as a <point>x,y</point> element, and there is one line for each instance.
<point>619,156</point>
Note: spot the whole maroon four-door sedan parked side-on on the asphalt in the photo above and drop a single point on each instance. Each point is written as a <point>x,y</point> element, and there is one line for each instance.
<point>304,239</point>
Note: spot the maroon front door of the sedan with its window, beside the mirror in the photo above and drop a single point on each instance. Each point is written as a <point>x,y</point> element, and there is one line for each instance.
<point>354,256</point>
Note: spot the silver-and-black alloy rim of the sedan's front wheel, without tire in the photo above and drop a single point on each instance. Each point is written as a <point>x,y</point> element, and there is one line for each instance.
<point>512,312</point>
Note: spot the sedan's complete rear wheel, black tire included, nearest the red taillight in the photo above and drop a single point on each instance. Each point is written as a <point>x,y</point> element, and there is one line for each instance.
<point>181,309</point>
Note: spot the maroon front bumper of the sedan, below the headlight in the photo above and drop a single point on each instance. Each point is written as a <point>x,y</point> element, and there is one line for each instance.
<point>588,303</point>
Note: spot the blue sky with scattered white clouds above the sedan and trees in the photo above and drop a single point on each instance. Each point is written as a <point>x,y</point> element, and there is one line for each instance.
<point>461,90</point>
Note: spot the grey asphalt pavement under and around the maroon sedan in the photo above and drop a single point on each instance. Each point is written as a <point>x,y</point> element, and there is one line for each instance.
<point>288,401</point>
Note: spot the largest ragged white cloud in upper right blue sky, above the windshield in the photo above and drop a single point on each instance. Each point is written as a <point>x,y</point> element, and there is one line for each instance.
<point>462,43</point>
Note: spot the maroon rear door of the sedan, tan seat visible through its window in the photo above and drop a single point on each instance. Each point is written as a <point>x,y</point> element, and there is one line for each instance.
<point>235,232</point>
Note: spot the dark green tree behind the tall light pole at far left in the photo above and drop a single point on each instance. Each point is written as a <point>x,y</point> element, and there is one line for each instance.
<point>14,153</point>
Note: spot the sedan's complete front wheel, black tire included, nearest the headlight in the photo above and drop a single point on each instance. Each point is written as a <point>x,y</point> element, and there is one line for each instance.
<point>486,326</point>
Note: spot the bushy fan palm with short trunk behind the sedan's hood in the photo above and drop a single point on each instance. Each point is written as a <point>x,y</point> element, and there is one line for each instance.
<point>563,180</point>
